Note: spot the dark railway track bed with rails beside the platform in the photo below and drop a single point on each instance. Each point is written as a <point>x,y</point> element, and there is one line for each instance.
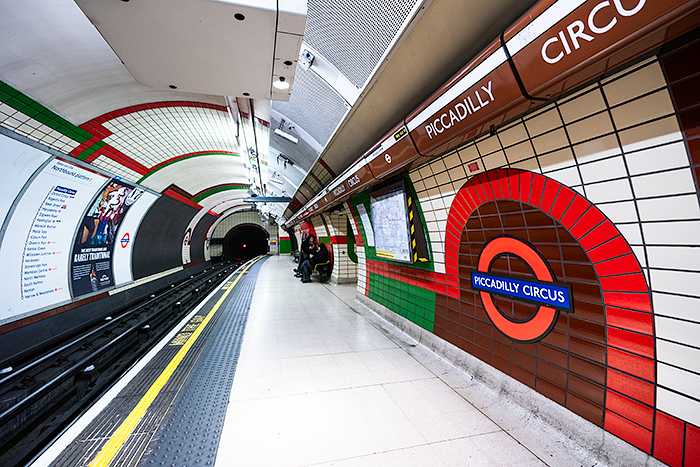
<point>46,388</point>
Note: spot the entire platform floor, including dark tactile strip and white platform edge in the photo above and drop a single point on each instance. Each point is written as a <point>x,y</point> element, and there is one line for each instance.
<point>320,381</point>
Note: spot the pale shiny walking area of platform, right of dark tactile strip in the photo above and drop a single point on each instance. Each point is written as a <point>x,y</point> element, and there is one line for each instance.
<point>321,384</point>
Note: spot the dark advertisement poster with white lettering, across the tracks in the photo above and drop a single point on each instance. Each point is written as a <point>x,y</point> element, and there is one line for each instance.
<point>91,260</point>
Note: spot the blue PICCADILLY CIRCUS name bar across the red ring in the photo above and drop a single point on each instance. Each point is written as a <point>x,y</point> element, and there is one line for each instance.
<point>544,293</point>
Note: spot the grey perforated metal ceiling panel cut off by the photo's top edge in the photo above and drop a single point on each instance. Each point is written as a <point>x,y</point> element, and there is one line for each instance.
<point>354,34</point>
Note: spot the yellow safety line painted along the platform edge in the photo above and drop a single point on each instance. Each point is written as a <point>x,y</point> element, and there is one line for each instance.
<point>127,427</point>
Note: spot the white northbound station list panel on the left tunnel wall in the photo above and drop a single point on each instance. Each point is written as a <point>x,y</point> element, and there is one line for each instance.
<point>36,246</point>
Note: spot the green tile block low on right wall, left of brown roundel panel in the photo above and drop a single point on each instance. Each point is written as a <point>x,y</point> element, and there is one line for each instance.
<point>413,303</point>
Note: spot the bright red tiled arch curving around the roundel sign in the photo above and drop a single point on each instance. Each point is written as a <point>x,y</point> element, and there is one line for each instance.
<point>631,378</point>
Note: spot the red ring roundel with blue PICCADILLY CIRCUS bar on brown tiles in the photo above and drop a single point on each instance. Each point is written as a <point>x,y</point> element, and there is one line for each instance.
<point>549,296</point>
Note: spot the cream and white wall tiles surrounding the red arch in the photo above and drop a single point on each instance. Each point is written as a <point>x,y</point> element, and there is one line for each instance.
<point>619,144</point>
